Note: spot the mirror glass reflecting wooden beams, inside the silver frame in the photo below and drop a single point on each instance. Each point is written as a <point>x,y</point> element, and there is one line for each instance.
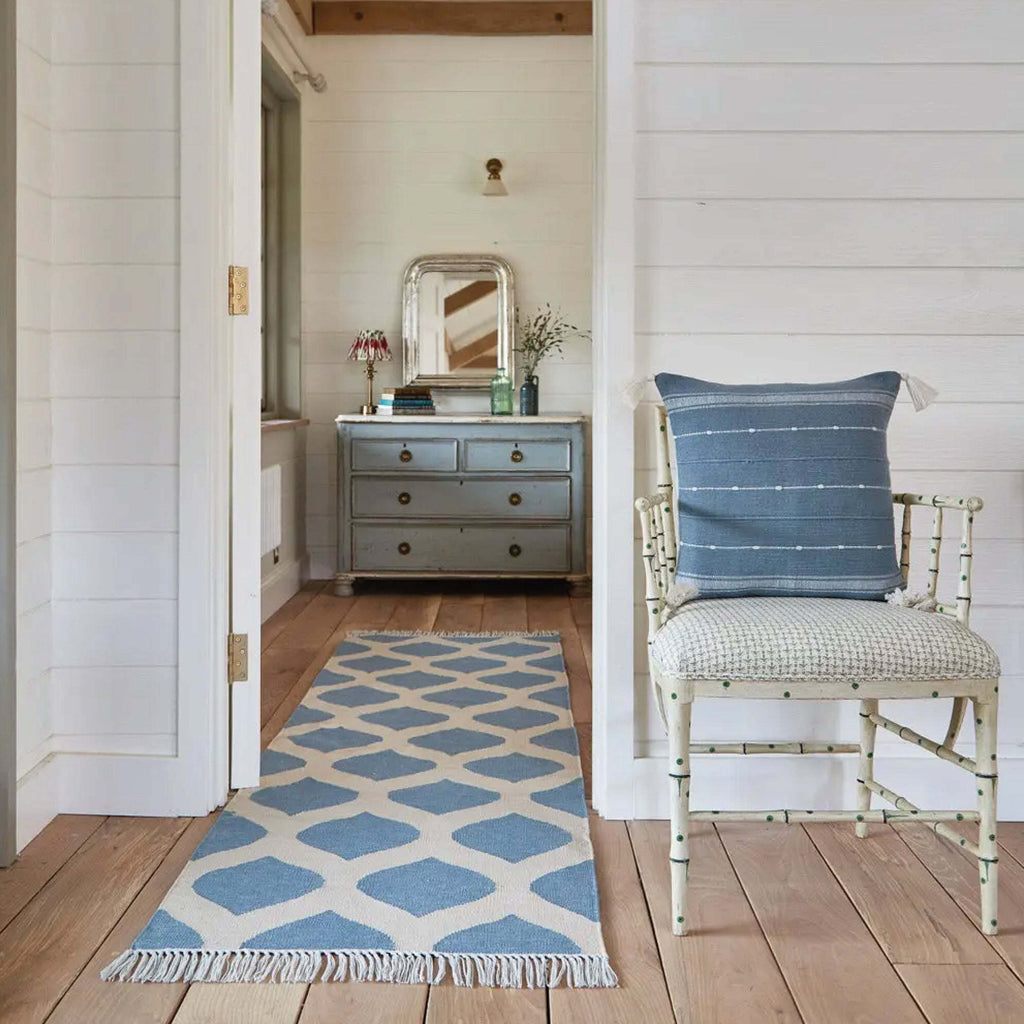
<point>459,324</point>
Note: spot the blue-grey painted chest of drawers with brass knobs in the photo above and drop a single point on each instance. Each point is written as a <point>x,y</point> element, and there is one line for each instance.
<point>461,496</point>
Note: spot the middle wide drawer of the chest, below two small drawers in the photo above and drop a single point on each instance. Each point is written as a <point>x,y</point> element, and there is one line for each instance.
<point>378,497</point>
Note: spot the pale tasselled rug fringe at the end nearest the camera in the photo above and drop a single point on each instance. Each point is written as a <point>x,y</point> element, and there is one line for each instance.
<point>494,971</point>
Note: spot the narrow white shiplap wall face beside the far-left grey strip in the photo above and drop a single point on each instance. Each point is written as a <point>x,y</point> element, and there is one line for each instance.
<point>35,718</point>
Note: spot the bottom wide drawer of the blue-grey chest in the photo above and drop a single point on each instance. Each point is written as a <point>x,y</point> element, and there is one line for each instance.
<point>444,548</point>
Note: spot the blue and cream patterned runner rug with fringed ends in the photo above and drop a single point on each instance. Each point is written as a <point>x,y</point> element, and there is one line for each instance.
<point>421,814</point>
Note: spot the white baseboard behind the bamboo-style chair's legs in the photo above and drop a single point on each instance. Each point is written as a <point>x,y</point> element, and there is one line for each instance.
<point>728,782</point>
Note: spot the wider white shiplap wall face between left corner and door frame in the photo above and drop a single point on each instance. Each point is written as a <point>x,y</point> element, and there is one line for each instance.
<point>114,375</point>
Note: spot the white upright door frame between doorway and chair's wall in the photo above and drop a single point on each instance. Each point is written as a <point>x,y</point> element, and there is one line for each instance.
<point>614,302</point>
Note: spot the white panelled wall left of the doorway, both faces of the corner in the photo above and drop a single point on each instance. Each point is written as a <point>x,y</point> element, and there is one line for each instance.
<point>99,386</point>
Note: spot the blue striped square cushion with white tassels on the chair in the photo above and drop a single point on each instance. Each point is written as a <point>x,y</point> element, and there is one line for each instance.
<point>784,489</point>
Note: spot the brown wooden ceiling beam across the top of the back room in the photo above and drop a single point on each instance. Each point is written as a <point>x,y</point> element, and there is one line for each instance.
<point>452,18</point>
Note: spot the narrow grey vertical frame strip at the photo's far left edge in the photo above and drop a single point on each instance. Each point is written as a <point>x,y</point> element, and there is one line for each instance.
<point>9,428</point>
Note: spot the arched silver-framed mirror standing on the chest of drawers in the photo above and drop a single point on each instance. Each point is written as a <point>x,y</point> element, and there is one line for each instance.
<point>458,314</point>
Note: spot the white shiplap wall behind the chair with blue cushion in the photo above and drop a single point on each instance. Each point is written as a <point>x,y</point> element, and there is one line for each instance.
<point>824,190</point>
